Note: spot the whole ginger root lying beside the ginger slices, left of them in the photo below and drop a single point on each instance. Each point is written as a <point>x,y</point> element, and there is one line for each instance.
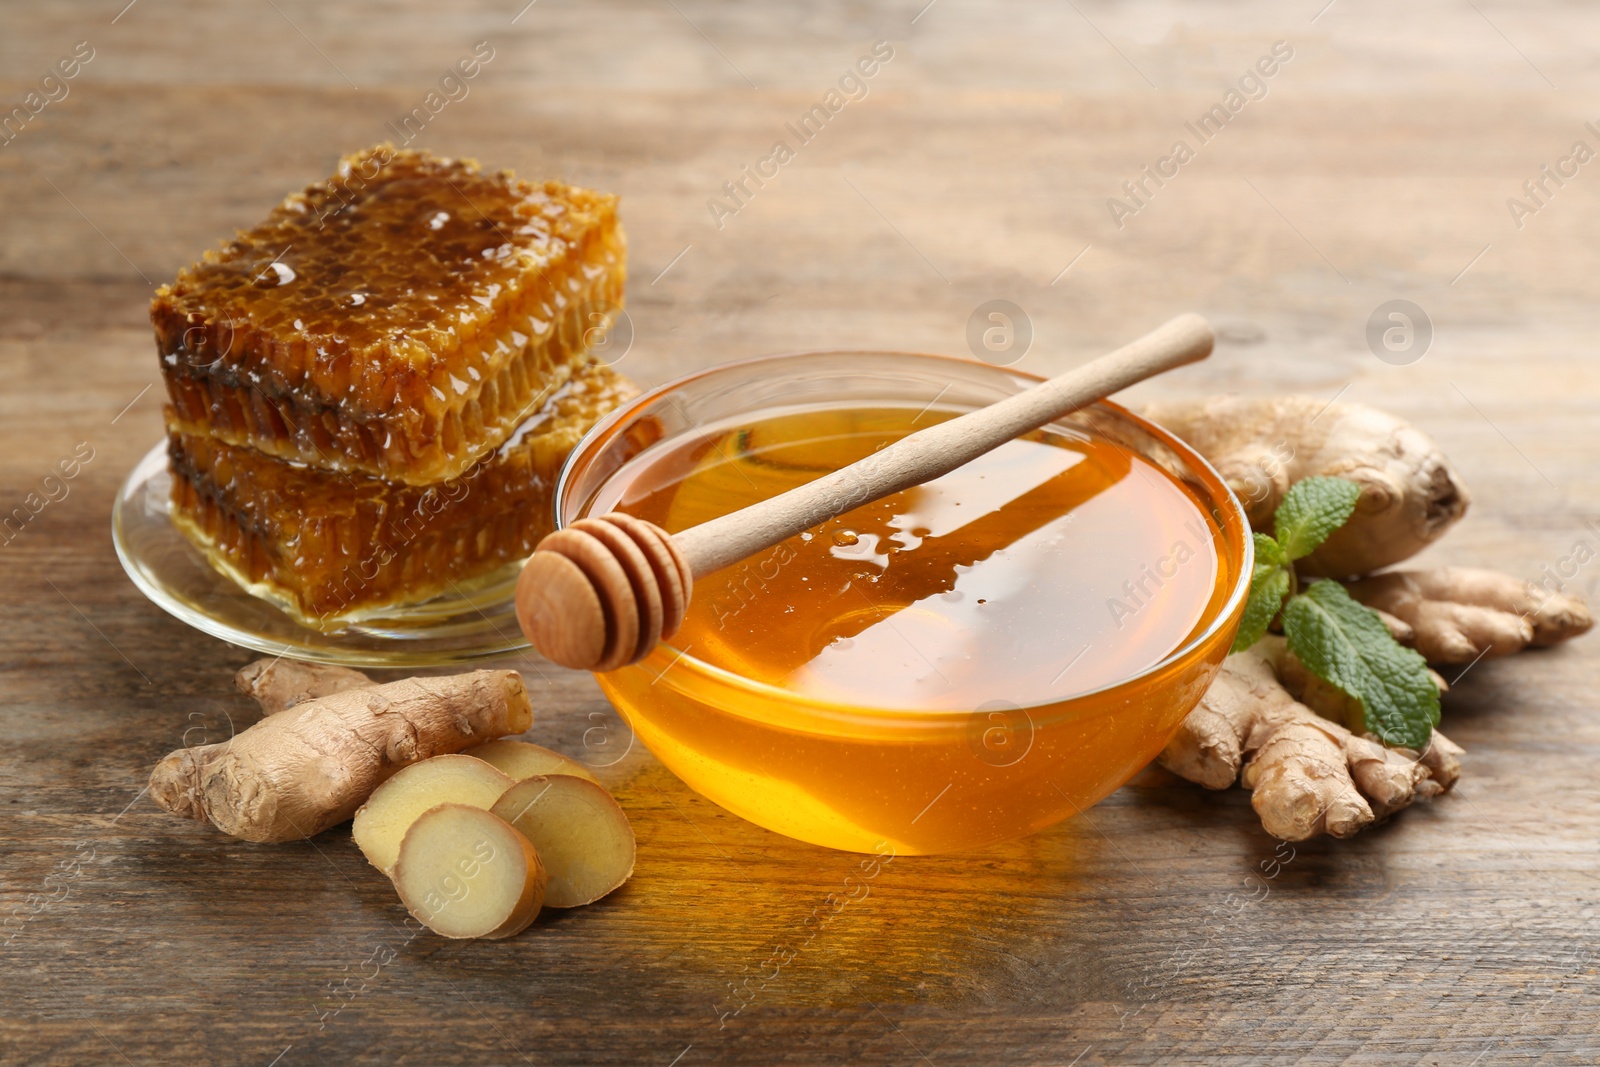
<point>303,770</point>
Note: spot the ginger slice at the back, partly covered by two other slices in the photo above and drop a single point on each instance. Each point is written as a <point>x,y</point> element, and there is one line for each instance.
<point>383,821</point>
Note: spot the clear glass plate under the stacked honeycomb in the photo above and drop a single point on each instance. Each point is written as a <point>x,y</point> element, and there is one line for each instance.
<point>167,569</point>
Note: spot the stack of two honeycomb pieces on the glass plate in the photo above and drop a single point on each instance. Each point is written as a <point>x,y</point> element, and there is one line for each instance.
<point>372,391</point>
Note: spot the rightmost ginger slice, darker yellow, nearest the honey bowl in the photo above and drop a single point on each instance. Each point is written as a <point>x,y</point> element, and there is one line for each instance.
<point>580,833</point>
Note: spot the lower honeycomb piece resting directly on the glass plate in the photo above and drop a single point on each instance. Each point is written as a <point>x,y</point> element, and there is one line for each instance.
<point>332,548</point>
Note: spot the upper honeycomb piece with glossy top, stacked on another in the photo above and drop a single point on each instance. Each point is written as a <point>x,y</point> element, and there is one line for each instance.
<point>398,321</point>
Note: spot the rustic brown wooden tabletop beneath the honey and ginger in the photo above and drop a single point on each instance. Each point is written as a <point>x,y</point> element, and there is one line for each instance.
<point>1161,929</point>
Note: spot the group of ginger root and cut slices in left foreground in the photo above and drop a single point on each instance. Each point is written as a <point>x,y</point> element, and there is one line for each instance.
<point>332,740</point>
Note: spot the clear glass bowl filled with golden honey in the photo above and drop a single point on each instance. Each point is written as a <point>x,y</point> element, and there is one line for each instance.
<point>953,666</point>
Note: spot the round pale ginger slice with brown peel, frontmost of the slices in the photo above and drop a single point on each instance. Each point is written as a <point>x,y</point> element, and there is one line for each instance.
<point>465,873</point>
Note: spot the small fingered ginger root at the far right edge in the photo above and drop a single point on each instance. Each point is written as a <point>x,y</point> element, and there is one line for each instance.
<point>1455,615</point>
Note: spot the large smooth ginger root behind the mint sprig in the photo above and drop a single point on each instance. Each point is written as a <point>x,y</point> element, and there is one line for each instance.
<point>1263,446</point>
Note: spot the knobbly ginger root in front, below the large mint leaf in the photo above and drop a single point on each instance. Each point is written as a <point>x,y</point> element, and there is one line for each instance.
<point>1308,775</point>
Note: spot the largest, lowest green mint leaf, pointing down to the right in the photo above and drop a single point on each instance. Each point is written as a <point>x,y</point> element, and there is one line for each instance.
<point>1346,645</point>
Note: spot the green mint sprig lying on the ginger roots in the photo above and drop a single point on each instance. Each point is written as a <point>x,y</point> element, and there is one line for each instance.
<point>1338,639</point>
